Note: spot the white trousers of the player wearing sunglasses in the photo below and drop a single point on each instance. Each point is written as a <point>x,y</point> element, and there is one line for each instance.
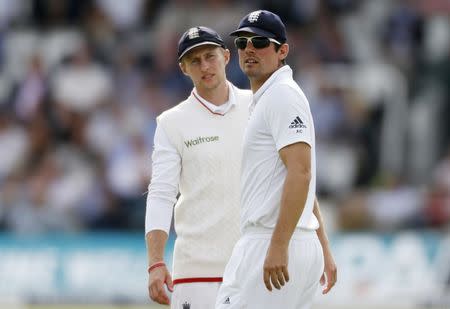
<point>243,285</point>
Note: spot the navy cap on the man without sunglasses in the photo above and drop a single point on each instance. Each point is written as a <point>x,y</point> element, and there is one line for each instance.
<point>198,36</point>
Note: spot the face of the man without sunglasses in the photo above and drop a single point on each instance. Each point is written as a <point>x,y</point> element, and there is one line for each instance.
<point>205,65</point>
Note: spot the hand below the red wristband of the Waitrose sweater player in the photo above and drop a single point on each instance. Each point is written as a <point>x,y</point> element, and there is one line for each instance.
<point>156,280</point>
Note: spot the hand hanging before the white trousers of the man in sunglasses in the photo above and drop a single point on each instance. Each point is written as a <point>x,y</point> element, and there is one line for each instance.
<point>275,267</point>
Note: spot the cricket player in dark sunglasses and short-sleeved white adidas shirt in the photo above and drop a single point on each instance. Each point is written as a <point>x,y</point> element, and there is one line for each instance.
<point>279,247</point>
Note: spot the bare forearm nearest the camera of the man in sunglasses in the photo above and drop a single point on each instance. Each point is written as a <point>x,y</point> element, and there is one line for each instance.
<point>295,192</point>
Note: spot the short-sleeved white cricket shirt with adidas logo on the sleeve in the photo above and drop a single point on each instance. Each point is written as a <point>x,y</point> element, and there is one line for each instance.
<point>280,116</point>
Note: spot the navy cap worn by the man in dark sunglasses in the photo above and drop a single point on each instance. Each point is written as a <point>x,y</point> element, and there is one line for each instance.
<point>263,23</point>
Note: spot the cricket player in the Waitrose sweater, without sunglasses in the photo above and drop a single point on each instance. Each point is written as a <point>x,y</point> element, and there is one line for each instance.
<point>197,154</point>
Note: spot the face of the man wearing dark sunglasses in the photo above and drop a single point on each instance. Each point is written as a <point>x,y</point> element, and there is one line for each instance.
<point>260,63</point>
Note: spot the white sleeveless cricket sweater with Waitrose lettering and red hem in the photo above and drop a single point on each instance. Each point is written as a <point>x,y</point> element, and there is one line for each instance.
<point>206,216</point>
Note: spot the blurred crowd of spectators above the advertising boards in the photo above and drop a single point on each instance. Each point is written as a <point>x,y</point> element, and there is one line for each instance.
<point>81,83</point>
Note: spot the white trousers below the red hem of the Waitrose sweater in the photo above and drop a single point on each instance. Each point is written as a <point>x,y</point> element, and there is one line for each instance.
<point>196,295</point>
